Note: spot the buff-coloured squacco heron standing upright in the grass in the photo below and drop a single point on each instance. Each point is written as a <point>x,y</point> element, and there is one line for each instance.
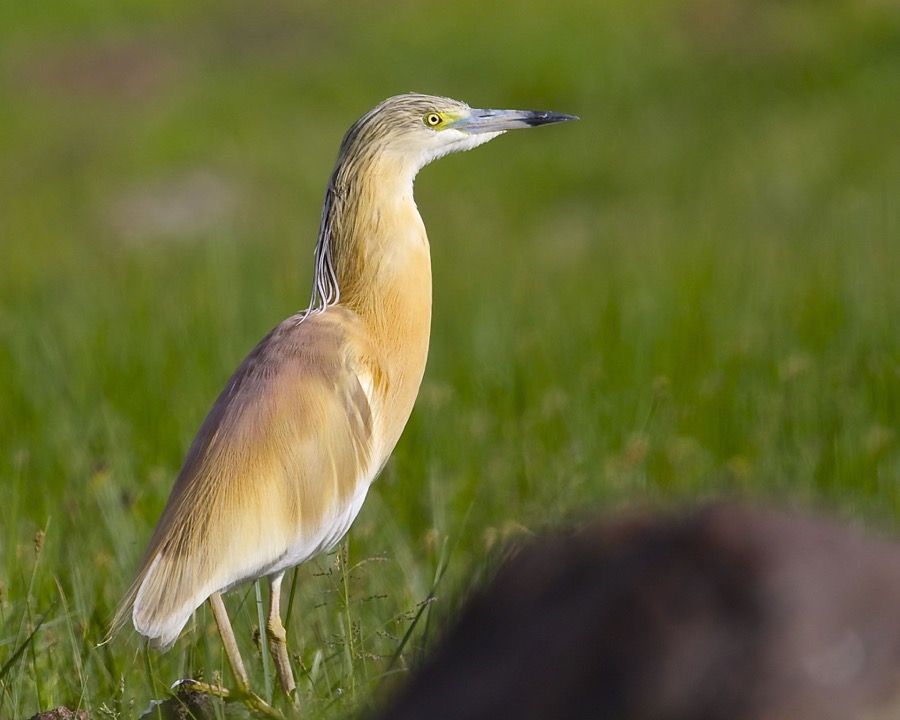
<point>282,463</point>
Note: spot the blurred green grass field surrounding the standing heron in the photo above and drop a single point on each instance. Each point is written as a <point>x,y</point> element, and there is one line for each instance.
<point>692,292</point>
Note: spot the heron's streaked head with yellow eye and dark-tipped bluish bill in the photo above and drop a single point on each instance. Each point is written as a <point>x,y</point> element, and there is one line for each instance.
<point>416,129</point>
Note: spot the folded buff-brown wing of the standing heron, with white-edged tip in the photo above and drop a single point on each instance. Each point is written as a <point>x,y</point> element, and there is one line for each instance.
<point>282,451</point>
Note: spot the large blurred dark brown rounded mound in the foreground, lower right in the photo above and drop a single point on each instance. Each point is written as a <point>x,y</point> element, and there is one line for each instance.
<point>729,613</point>
